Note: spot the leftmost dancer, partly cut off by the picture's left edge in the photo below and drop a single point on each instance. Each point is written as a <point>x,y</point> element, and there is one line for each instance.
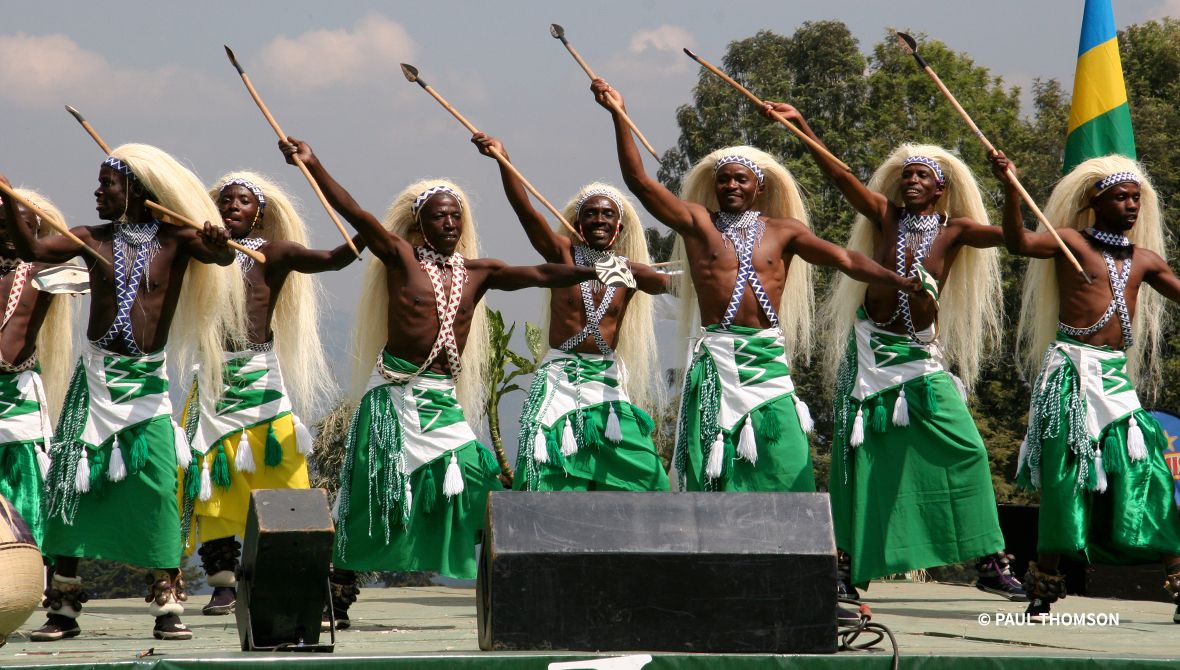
<point>36,347</point>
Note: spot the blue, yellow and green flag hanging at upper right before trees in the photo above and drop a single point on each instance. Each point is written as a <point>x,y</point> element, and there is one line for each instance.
<point>1099,117</point>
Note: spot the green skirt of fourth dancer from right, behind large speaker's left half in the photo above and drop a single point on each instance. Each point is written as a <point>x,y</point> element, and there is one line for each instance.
<point>630,465</point>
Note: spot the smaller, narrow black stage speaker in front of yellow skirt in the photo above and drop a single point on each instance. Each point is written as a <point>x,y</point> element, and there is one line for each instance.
<point>284,582</point>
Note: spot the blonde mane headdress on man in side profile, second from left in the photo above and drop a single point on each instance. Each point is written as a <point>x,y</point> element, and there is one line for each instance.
<point>211,312</point>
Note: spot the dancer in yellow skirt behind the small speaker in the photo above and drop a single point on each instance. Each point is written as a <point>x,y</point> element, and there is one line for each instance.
<point>253,437</point>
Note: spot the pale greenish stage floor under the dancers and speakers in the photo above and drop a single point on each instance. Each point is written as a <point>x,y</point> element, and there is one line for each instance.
<point>929,621</point>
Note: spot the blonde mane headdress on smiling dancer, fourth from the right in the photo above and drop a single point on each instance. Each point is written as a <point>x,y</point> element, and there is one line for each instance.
<point>637,337</point>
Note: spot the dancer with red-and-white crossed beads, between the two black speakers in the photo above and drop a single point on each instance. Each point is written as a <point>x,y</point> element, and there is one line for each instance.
<point>415,484</point>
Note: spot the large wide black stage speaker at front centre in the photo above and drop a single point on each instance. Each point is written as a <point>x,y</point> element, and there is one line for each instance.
<point>704,573</point>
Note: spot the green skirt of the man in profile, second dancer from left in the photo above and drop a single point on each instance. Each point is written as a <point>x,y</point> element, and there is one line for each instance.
<point>135,521</point>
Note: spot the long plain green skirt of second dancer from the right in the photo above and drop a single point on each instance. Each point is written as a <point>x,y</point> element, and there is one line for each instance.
<point>917,496</point>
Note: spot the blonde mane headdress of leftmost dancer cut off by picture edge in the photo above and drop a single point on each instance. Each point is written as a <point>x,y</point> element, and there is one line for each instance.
<point>55,341</point>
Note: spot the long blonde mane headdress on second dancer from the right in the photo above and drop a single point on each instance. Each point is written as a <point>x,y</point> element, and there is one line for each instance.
<point>971,295</point>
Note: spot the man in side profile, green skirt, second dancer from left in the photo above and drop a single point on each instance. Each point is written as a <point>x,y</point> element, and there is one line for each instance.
<point>112,489</point>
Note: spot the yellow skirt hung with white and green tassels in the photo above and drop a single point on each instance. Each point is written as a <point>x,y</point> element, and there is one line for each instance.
<point>225,514</point>
